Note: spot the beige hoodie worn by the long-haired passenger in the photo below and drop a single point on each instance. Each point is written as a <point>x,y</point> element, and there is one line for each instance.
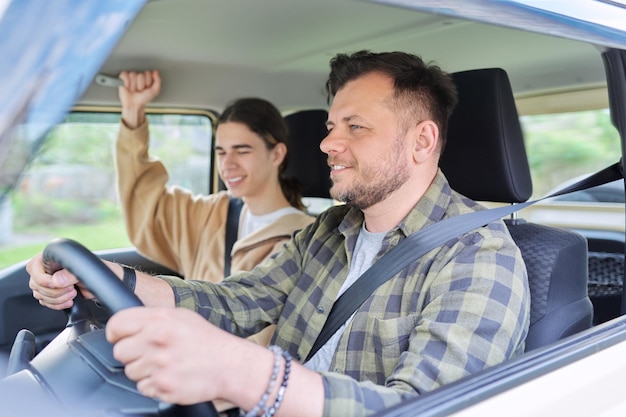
<point>180,230</point>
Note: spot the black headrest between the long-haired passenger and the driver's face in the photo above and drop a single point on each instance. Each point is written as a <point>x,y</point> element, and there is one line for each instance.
<point>307,162</point>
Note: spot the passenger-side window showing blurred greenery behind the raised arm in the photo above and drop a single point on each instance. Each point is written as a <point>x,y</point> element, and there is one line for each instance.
<point>69,188</point>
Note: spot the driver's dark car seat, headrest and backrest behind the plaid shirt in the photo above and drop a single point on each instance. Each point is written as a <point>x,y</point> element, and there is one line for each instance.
<point>485,159</point>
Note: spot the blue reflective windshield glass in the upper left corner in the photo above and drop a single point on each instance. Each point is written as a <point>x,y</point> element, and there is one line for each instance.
<point>50,54</point>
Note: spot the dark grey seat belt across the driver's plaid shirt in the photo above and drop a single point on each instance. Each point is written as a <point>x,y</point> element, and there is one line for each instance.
<point>423,241</point>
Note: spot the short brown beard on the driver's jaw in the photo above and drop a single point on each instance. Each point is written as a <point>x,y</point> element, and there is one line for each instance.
<point>374,184</point>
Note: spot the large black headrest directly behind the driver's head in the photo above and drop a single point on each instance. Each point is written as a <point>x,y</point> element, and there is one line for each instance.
<point>484,156</point>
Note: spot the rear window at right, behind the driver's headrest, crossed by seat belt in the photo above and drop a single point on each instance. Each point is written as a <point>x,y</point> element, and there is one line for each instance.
<point>562,149</point>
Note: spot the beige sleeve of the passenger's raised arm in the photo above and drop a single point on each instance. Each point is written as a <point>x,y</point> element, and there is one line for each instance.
<point>164,223</point>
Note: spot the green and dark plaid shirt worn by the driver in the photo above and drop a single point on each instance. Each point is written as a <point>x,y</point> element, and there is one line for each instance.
<point>461,308</point>
